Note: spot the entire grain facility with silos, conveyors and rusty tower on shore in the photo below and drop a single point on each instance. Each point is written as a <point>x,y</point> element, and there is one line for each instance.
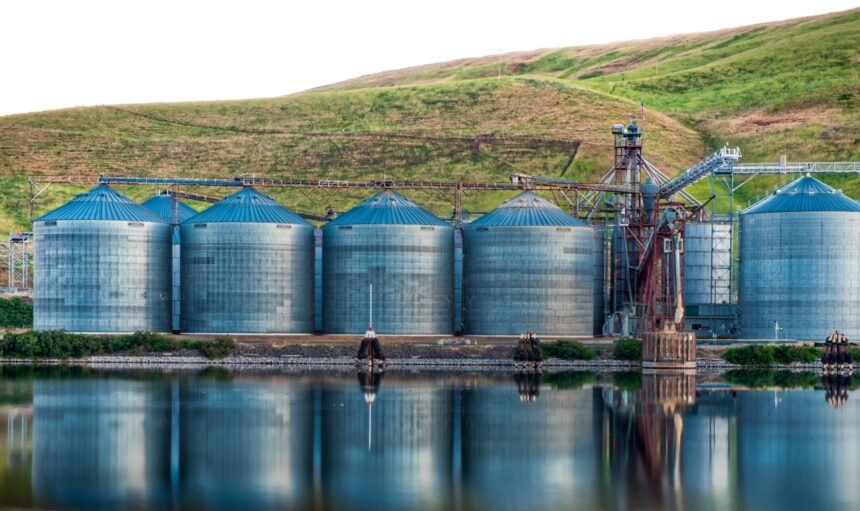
<point>635,252</point>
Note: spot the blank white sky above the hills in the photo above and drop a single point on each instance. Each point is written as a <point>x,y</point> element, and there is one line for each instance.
<point>59,54</point>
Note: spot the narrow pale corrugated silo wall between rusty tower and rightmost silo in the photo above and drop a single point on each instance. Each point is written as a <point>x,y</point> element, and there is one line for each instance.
<point>707,263</point>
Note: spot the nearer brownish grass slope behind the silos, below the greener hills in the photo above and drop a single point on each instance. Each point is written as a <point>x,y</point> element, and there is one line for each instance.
<point>472,130</point>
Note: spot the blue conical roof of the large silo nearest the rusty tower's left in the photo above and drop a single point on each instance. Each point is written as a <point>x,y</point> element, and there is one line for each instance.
<point>527,209</point>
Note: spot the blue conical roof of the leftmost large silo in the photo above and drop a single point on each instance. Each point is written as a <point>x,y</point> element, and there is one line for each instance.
<point>102,203</point>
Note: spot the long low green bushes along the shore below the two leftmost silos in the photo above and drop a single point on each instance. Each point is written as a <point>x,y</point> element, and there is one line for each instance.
<point>63,345</point>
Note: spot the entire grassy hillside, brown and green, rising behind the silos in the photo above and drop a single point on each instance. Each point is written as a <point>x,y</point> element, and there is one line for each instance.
<point>787,87</point>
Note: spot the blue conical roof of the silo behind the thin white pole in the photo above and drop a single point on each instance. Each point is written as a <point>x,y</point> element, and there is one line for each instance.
<point>388,208</point>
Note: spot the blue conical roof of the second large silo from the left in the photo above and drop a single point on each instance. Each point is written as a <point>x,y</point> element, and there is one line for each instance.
<point>248,206</point>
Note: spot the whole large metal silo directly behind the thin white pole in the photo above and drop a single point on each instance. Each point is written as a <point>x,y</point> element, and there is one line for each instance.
<point>405,252</point>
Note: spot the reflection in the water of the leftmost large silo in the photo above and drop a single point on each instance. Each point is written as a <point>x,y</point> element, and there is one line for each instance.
<point>101,444</point>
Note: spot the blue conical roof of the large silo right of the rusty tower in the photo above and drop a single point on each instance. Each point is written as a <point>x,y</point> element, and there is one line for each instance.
<point>805,194</point>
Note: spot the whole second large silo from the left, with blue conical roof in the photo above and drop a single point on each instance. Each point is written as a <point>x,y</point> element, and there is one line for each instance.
<point>247,266</point>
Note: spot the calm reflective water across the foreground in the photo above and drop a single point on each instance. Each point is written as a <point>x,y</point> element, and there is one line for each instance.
<point>76,438</point>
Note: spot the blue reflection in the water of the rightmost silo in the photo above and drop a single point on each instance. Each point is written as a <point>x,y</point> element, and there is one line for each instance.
<point>796,452</point>
